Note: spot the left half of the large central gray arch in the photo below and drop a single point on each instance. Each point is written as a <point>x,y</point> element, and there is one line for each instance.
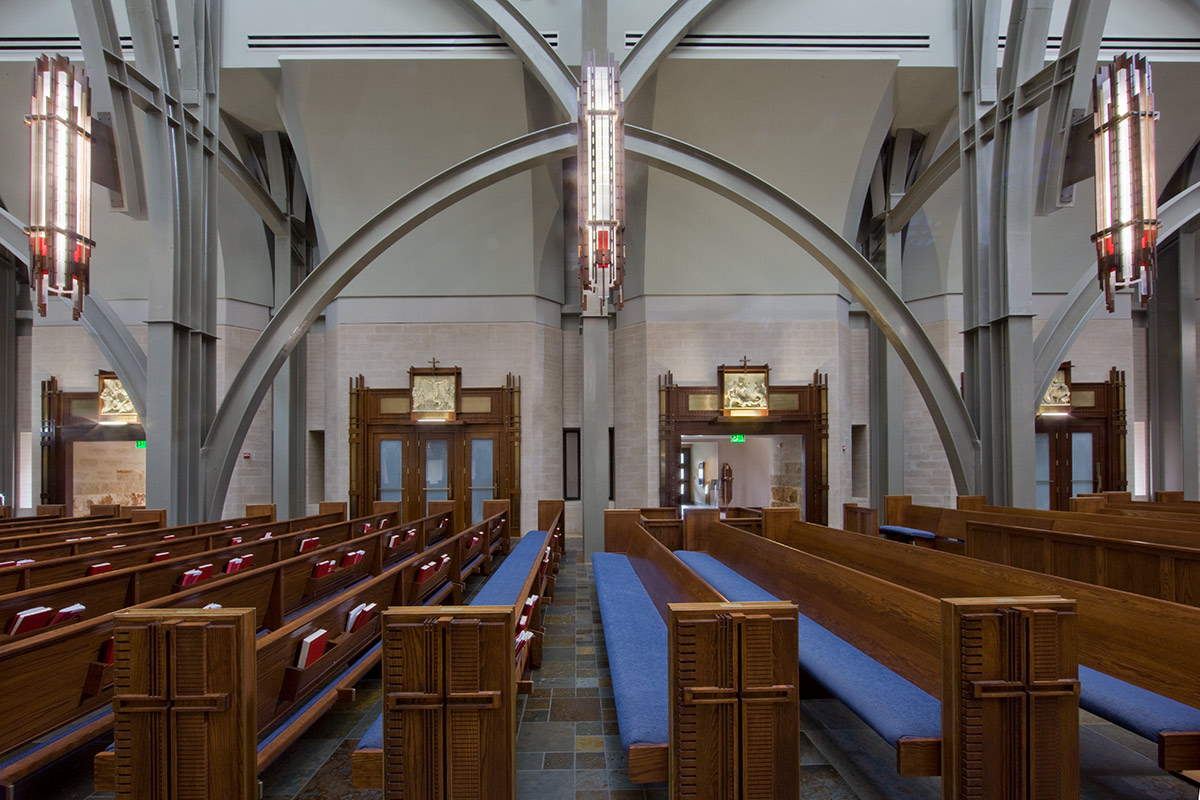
<point>316,292</point>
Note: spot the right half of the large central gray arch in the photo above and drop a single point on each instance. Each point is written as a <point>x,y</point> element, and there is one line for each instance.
<point>839,257</point>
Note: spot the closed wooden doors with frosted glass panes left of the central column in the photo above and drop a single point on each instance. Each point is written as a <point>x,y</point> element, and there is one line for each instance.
<point>449,464</point>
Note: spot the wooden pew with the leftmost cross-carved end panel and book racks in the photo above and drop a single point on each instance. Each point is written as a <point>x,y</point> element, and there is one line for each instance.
<point>287,693</point>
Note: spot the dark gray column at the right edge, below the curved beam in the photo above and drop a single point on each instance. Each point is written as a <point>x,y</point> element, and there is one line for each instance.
<point>1172,371</point>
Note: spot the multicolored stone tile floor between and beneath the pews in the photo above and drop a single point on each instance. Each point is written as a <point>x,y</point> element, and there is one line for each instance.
<point>568,745</point>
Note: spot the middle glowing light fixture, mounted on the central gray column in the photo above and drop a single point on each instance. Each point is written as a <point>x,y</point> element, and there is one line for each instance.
<point>602,189</point>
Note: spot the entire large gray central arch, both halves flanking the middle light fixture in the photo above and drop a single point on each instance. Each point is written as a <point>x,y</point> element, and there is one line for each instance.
<point>301,311</point>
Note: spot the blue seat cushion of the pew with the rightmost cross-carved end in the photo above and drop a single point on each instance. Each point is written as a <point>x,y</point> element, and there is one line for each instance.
<point>892,706</point>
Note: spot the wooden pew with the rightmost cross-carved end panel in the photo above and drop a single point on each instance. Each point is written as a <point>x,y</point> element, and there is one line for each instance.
<point>958,647</point>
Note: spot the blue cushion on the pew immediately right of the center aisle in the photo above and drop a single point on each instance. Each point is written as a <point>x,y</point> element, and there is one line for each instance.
<point>637,640</point>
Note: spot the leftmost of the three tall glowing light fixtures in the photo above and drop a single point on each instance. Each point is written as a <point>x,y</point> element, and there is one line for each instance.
<point>61,183</point>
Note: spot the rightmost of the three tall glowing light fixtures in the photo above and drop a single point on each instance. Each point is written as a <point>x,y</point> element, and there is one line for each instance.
<point>1126,191</point>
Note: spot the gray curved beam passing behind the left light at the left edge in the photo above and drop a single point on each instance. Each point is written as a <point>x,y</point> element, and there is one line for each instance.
<point>107,330</point>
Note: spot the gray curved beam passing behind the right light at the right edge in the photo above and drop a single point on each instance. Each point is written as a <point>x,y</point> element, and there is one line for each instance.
<point>1070,320</point>
